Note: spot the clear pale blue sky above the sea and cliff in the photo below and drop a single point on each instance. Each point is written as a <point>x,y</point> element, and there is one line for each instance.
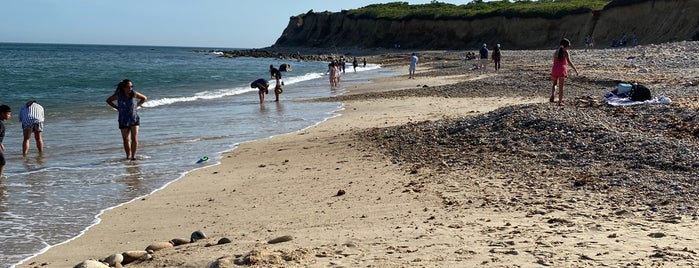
<point>192,23</point>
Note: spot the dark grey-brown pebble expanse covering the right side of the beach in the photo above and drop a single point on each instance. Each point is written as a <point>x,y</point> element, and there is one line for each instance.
<point>620,152</point>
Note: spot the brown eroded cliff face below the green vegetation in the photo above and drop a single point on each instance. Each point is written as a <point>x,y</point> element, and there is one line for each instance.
<point>653,21</point>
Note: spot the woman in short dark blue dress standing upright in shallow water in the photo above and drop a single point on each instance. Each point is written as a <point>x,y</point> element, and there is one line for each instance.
<point>128,101</point>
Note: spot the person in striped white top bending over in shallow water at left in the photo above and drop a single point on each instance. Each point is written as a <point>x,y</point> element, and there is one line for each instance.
<point>32,117</point>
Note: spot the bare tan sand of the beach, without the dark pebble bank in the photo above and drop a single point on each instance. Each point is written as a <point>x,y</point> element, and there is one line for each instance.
<point>347,203</point>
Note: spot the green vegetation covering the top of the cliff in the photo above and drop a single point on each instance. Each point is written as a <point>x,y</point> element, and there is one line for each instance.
<point>477,9</point>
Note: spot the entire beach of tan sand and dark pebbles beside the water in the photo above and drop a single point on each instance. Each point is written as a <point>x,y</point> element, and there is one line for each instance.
<point>440,171</point>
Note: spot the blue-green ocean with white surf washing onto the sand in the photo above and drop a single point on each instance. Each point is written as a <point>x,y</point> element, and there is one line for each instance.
<point>199,104</point>
